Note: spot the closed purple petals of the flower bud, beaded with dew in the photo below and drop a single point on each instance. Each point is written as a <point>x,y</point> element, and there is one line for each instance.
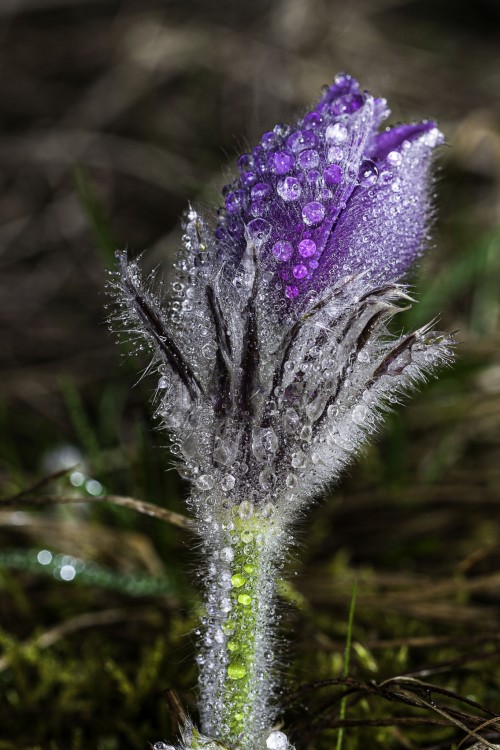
<point>359,196</point>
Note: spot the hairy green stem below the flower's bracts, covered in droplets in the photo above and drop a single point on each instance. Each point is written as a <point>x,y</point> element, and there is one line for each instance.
<point>237,681</point>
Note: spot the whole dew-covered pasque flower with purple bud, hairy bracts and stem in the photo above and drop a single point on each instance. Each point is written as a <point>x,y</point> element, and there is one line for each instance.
<point>275,363</point>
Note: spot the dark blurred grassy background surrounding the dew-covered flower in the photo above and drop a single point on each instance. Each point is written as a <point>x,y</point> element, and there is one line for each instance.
<point>115,114</point>
